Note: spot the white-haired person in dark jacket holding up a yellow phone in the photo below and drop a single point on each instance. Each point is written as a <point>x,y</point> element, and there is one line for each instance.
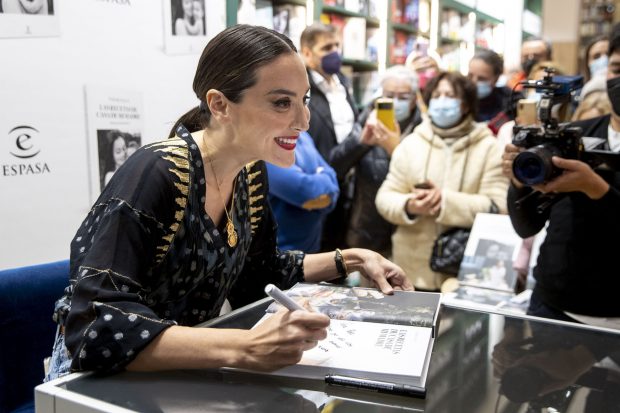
<point>370,156</point>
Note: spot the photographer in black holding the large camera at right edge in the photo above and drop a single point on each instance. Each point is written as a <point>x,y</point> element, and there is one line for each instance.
<point>577,269</point>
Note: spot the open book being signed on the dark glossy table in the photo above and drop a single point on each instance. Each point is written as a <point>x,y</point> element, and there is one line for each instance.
<point>371,336</point>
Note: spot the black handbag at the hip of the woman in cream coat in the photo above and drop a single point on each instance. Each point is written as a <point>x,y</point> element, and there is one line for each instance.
<point>448,250</point>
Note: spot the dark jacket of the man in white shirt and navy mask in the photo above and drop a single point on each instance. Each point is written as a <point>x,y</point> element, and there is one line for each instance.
<point>324,136</point>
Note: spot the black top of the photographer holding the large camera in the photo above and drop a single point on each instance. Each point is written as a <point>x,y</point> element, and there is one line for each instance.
<point>577,268</point>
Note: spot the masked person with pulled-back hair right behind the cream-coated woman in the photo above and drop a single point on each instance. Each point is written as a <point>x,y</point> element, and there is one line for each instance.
<point>495,105</point>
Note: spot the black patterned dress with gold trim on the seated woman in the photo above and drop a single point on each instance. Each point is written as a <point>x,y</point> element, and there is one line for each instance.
<point>148,256</point>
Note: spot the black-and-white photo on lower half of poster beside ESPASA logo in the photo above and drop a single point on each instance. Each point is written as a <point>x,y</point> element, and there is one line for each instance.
<point>114,147</point>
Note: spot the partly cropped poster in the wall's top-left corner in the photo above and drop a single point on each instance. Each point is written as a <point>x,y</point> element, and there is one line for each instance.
<point>29,18</point>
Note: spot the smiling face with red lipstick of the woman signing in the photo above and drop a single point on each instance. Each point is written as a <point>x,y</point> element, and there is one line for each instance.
<point>274,111</point>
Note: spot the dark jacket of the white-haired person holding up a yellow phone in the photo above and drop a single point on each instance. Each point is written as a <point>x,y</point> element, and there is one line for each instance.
<point>367,229</point>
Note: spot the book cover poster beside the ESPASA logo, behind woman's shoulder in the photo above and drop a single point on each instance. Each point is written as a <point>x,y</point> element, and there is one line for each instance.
<point>115,127</point>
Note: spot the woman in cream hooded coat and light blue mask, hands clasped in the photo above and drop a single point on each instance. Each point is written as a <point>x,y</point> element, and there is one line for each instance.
<point>440,177</point>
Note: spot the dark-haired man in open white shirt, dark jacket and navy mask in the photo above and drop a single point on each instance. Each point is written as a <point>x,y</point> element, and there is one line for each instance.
<point>333,114</point>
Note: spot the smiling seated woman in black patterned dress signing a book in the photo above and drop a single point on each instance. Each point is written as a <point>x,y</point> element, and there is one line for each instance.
<point>185,224</point>
